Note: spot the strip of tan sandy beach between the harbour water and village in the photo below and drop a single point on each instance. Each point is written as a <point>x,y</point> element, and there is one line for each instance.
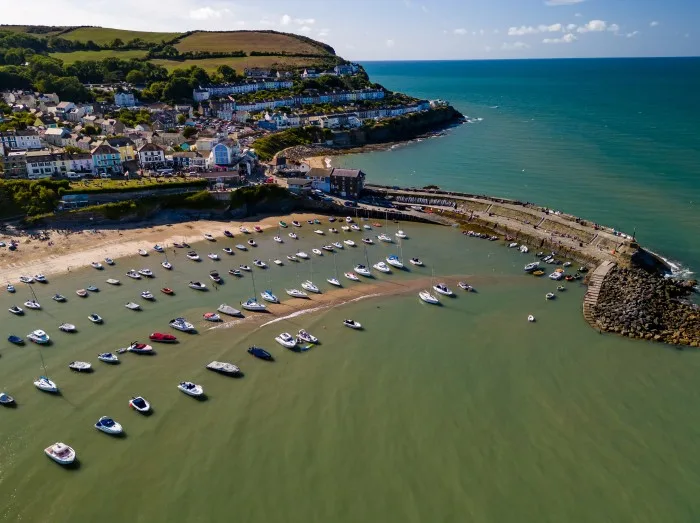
<point>68,250</point>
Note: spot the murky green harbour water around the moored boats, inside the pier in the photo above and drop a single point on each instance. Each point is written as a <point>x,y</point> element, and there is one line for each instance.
<point>464,412</point>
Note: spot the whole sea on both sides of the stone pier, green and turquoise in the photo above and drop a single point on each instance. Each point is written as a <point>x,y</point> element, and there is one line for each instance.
<point>459,412</point>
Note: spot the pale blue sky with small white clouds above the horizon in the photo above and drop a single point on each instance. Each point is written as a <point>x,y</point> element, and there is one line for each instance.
<point>409,29</point>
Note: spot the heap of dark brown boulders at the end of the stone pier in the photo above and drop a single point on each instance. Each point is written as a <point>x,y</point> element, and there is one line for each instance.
<point>639,304</point>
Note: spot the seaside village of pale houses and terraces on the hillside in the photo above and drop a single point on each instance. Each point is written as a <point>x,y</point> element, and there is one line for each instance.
<point>212,137</point>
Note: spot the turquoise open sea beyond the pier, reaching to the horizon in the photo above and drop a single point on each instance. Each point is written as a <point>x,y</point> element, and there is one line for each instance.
<point>612,140</point>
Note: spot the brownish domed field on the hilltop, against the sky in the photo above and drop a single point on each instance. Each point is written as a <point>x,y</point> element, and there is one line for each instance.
<point>246,41</point>
